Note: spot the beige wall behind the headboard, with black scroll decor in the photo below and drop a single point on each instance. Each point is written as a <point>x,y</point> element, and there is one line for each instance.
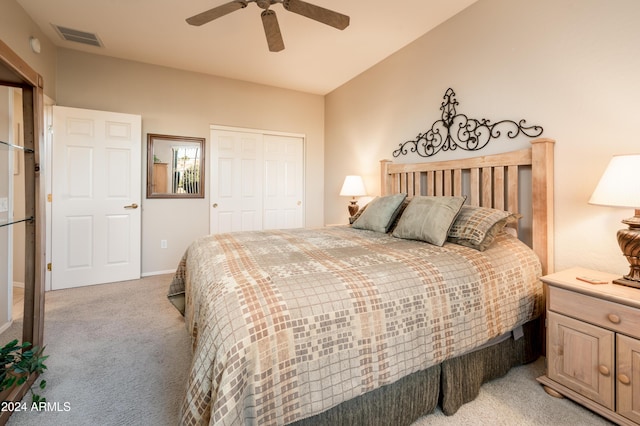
<point>570,66</point>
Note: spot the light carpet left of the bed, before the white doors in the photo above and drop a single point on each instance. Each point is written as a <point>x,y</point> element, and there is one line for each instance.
<point>118,354</point>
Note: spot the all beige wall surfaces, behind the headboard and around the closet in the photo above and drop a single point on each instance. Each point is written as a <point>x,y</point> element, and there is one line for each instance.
<point>568,65</point>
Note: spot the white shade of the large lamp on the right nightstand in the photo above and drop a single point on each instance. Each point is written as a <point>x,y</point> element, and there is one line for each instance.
<point>620,184</point>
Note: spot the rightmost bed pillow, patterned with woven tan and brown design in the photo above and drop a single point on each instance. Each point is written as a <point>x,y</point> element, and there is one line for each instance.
<point>477,227</point>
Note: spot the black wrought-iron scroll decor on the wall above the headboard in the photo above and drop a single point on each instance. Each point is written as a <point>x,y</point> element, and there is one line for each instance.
<point>456,130</point>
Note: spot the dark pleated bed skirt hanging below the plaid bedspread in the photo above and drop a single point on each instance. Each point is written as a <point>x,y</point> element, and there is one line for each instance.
<point>450,384</point>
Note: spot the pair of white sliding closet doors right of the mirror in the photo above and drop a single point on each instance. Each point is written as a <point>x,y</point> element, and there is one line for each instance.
<point>257,181</point>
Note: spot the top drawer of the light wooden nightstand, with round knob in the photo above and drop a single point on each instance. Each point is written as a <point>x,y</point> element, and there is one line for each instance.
<point>613,316</point>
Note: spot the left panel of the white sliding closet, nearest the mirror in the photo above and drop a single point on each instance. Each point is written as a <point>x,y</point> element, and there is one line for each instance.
<point>236,181</point>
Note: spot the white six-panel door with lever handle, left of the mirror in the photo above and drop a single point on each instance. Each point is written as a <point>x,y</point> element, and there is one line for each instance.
<point>96,187</point>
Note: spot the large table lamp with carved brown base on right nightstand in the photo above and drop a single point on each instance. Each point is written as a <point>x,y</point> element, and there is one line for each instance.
<point>620,187</point>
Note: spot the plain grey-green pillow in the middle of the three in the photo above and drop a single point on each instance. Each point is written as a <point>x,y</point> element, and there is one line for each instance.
<point>428,218</point>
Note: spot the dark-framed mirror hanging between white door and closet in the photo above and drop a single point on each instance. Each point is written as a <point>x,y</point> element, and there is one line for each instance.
<point>175,166</point>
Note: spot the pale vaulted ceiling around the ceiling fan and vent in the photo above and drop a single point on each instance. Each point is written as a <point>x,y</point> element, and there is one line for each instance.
<point>317,58</point>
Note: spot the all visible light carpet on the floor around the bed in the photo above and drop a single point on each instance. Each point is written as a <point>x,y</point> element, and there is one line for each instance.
<point>119,354</point>
